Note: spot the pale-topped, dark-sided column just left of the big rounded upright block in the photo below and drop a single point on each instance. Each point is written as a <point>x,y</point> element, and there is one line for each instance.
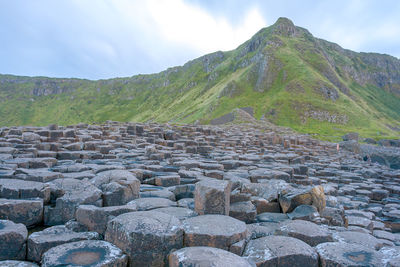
<point>74,193</point>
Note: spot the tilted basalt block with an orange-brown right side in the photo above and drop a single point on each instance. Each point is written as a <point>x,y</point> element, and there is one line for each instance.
<point>303,196</point>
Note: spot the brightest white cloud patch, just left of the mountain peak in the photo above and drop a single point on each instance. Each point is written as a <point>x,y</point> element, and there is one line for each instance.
<point>187,24</point>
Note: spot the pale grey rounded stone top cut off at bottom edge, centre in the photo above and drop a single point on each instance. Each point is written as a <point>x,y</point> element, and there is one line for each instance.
<point>206,256</point>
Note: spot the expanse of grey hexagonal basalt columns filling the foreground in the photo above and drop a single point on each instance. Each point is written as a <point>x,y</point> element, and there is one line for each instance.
<point>124,194</point>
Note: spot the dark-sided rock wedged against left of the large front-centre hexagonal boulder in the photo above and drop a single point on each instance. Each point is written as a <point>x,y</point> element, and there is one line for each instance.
<point>96,218</point>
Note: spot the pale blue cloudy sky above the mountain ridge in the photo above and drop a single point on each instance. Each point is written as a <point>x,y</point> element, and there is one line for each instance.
<point>97,39</point>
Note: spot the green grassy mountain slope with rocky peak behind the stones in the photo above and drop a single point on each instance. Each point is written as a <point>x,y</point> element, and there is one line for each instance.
<point>285,74</point>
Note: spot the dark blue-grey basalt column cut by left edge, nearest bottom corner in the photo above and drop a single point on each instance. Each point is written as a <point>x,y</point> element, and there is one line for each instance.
<point>12,240</point>
